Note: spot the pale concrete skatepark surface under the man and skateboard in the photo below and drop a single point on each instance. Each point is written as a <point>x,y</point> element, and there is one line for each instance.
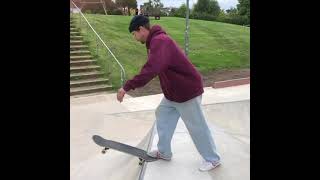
<point>227,111</point>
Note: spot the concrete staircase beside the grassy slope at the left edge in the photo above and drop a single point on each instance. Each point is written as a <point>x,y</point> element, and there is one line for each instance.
<point>85,74</point>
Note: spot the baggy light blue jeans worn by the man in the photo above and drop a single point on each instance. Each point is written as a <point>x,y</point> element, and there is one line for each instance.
<point>167,116</point>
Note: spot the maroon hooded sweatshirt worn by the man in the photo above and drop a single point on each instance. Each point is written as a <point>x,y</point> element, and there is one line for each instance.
<point>179,79</point>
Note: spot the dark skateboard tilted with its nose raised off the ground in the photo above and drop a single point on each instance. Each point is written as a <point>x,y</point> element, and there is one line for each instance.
<point>108,144</point>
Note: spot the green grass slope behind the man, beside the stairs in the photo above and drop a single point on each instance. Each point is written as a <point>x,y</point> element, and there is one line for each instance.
<point>213,45</point>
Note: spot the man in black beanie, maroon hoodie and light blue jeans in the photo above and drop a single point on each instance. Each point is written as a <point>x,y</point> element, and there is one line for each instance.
<point>182,87</point>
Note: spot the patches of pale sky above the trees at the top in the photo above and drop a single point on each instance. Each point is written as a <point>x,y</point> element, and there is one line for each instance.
<point>224,4</point>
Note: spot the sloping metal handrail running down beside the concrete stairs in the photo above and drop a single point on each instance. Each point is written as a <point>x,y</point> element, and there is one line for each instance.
<point>122,72</point>
